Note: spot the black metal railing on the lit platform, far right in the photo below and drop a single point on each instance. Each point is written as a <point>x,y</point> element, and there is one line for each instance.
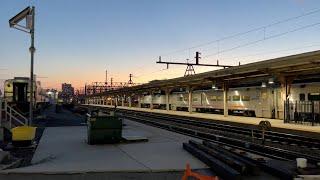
<point>302,112</point>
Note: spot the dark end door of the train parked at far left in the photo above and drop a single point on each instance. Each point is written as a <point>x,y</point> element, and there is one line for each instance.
<point>20,92</point>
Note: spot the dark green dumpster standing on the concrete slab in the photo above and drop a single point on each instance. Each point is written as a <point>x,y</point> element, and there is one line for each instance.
<point>104,129</point>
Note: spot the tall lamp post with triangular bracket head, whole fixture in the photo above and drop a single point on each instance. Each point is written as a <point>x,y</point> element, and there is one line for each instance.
<point>28,14</point>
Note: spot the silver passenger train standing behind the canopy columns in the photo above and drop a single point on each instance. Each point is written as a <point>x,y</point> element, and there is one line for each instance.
<point>267,102</point>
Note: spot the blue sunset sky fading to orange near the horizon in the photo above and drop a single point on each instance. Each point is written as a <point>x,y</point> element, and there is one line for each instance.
<point>78,40</point>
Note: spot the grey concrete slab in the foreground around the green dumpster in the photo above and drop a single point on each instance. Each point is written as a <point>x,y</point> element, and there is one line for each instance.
<point>63,150</point>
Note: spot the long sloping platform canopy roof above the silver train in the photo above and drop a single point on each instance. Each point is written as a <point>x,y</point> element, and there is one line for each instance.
<point>303,67</point>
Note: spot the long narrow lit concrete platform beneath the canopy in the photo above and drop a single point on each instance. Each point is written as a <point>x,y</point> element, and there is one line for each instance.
<point>276,123</point>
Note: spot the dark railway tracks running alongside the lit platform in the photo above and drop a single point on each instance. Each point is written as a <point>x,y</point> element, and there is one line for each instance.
<point>201,130</point>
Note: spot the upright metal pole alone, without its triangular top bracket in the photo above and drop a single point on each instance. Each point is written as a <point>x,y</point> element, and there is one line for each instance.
<point>32,50</point>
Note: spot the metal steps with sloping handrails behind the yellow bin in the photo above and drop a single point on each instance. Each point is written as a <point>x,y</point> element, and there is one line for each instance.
<point>9,117</point>
